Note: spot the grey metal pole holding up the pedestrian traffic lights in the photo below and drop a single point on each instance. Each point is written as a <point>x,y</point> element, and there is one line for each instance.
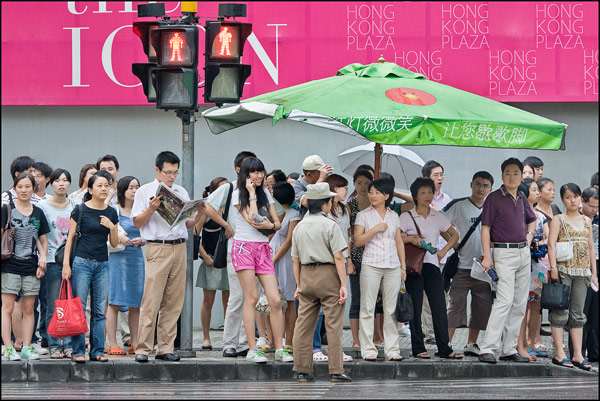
<point>187,316</point>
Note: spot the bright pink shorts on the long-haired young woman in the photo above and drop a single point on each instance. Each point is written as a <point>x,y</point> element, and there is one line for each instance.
<point>253,256</point>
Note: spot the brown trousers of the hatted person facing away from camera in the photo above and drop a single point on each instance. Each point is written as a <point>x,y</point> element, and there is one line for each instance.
<point>320,288</point>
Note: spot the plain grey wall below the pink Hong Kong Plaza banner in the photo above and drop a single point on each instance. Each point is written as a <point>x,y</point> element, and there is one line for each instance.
<point>69,137</point>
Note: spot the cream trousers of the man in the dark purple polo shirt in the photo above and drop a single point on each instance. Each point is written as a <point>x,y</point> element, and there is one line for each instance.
<point>513,267</point>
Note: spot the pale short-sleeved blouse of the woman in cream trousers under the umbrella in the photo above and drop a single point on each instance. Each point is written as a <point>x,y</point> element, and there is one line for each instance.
<point>381,251</point>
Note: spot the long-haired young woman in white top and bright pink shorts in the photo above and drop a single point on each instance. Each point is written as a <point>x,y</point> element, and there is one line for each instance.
<point>251,253</point>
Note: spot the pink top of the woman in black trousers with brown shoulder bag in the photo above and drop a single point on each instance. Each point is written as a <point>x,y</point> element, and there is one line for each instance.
<point>431,227</point>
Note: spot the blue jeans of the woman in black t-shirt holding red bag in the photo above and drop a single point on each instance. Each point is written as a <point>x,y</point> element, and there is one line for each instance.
<point>91,276</point>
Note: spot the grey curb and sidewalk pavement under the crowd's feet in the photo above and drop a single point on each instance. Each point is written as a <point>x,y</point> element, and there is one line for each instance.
<point>210,365</point>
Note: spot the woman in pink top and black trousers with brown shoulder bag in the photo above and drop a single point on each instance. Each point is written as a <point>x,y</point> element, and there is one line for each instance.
<point>422,226</point>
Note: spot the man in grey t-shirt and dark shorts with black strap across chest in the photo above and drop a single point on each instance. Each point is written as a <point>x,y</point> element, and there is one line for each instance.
<point>463,213</point>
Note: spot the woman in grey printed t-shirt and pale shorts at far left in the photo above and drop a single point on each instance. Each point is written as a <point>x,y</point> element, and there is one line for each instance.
<point>22,271</point>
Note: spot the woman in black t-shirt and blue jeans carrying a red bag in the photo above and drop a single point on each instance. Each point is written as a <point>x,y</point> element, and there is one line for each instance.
<point>90,265</point>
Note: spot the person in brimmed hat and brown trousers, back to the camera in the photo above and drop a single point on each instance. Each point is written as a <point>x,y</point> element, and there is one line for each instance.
<point>320,273</point>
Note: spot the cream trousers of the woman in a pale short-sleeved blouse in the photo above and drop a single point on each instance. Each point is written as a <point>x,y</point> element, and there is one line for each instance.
<point>390,281</point>
